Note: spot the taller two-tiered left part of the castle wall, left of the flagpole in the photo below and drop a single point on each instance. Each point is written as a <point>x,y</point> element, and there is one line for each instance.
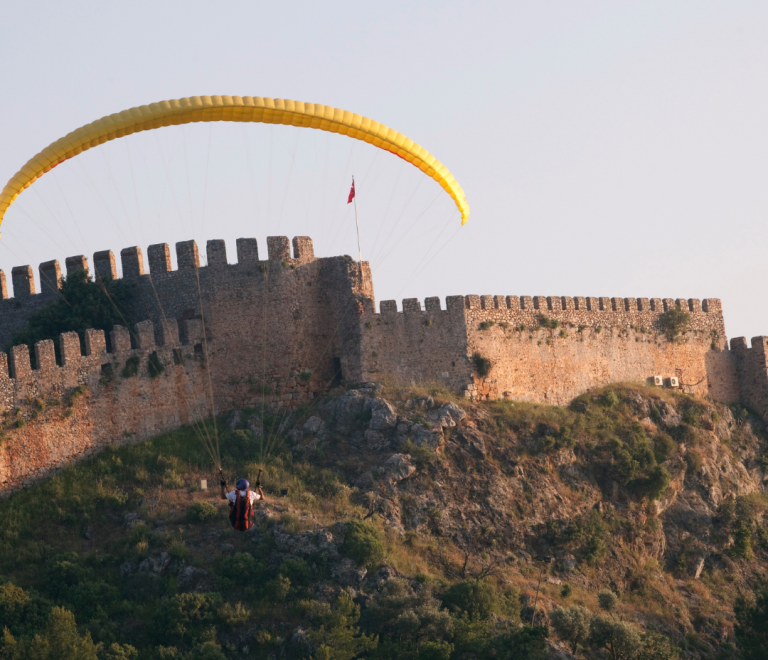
<point>259,333</point>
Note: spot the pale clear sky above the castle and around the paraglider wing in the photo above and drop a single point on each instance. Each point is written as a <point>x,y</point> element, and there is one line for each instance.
<point>606,149</point>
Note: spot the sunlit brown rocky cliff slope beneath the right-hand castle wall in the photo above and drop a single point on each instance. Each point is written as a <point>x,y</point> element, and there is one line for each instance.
<point>655,495</point>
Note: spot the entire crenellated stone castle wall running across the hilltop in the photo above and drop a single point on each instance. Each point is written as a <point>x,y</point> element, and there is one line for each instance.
<point>274,333</point>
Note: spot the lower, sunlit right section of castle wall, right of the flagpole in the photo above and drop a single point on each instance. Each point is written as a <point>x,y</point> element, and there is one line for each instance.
<point>596,341</point>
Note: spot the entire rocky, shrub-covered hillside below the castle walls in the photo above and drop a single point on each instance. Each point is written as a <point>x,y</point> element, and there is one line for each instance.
<point>405,524</point>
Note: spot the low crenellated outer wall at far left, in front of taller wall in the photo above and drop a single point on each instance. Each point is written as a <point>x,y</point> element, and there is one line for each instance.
<point>52,420</point>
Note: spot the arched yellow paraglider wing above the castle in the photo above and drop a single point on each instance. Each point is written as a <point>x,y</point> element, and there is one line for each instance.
<point>232,108</point>
